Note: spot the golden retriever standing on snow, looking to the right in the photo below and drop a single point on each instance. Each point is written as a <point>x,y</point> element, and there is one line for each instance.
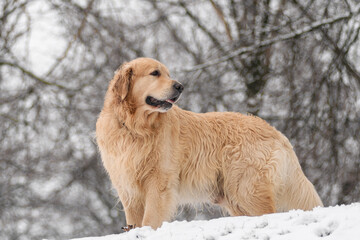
<point>159,156</point>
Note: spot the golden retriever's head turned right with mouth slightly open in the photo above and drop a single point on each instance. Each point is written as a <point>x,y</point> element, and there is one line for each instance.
<point>146,84</point>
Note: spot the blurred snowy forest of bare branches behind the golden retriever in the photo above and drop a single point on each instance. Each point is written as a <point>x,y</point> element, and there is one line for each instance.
<point>295,63</point>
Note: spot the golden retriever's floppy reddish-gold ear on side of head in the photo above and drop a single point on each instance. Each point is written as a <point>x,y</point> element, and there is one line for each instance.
<point>122,80</point>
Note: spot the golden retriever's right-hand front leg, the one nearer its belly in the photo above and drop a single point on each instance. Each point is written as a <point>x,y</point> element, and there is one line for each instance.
<point>160,205</point>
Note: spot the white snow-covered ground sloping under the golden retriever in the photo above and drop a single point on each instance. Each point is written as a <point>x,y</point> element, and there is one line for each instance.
<point>339,222</point>
